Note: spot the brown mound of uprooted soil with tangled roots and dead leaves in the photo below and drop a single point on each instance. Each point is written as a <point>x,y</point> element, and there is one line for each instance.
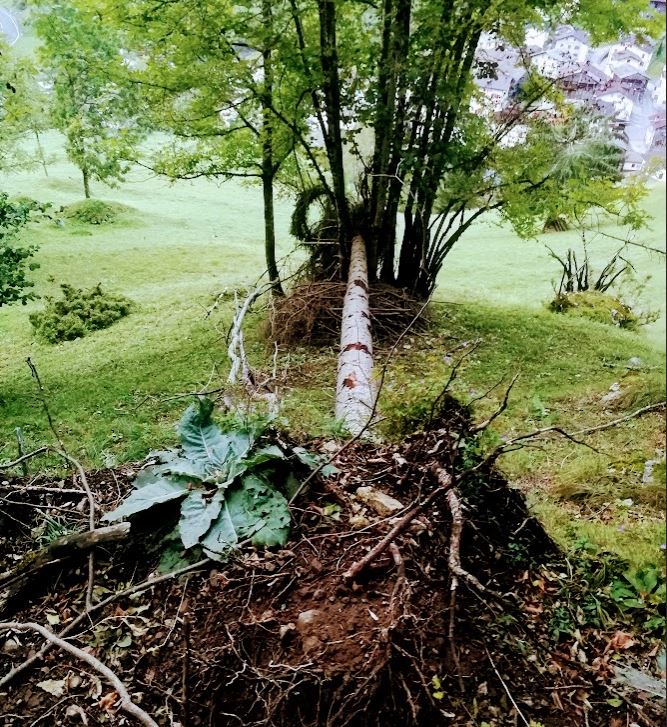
<point>449,624</point>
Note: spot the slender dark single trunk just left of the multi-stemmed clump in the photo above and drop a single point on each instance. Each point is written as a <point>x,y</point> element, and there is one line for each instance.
<point>268,168</point>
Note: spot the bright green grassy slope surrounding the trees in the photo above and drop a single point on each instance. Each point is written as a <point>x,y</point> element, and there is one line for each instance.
<point>187,242</point>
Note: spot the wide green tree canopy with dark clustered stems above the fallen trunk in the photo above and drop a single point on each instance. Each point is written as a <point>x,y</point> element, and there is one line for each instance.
<point>376,104</point>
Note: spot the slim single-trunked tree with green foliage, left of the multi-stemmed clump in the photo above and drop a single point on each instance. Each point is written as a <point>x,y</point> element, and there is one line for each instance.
<point>215,81</point>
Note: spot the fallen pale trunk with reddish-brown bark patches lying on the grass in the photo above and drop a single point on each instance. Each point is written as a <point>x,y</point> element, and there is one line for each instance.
<point>354,388</point>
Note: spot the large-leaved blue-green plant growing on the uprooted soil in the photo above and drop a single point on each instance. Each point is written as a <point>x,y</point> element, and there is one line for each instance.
<point>232,488</point>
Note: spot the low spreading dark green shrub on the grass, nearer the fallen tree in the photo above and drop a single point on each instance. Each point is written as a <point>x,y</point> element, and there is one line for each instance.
<point>78,312</point>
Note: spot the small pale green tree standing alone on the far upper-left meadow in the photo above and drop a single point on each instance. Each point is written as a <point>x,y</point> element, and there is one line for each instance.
<point>81,57</point>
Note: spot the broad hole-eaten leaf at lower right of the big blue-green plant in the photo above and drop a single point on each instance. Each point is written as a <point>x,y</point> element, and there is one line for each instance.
<point>253,511</point>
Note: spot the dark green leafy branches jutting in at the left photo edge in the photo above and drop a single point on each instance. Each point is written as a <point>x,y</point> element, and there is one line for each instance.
<point>14,259</point>
